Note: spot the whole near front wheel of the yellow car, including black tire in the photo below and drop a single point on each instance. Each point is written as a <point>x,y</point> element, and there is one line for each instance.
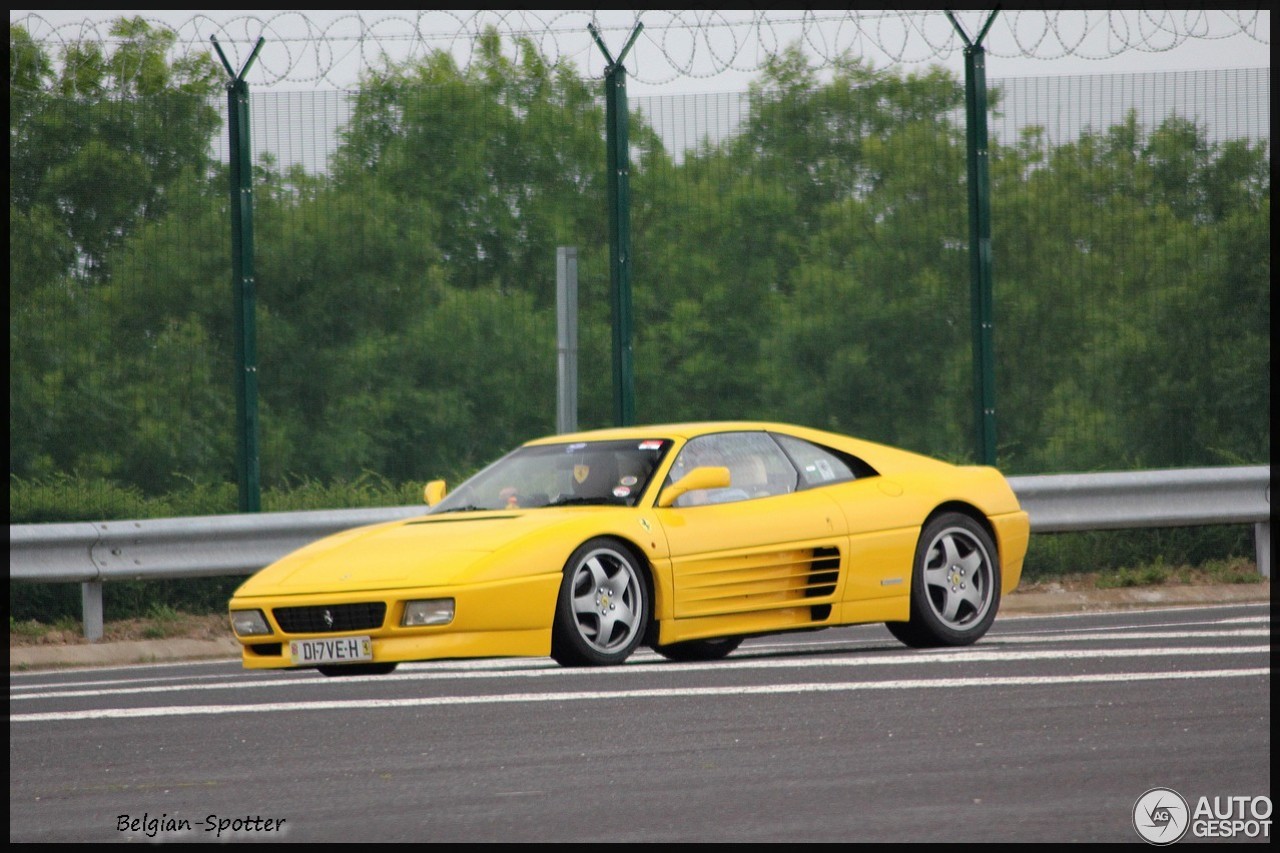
<point>604,606</point>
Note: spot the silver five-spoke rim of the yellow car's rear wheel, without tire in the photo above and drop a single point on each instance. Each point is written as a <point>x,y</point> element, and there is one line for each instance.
<point>959,578</point>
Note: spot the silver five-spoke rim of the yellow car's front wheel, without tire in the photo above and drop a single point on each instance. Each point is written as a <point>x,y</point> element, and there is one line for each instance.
<point>607,600</point>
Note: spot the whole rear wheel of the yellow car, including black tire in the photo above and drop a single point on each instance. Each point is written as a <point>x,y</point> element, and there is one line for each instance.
<point>956,585</point>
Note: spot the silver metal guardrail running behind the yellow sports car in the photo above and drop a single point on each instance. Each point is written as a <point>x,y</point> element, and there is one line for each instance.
<point>93,553</point>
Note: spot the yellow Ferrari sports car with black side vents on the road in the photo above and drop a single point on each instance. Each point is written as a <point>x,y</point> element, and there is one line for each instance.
<point>684,537</point>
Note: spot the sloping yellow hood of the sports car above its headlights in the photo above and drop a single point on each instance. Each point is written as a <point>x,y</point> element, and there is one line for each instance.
<point>418,553</point>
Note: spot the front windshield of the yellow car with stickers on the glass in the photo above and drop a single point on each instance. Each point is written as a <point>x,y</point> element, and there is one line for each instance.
<point>607,473</point>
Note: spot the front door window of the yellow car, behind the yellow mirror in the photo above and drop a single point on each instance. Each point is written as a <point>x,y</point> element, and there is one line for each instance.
<point>756,464</point>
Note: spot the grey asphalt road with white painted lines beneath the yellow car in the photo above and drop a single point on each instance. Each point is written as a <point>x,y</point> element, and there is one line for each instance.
<point>1048,731</point>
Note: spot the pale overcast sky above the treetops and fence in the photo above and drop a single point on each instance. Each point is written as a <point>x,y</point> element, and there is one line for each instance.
<point>721,39</point>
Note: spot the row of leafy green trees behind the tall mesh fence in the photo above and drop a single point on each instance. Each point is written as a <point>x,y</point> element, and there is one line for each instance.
<point>810,267</point>
